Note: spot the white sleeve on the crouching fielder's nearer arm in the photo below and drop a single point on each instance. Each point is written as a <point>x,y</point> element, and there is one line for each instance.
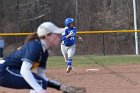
<point>28,76</point>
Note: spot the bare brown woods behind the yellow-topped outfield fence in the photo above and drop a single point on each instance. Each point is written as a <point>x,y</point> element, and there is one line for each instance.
<point>27,15</point>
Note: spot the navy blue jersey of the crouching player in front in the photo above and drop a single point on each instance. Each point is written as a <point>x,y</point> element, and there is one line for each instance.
<point>31,52</point>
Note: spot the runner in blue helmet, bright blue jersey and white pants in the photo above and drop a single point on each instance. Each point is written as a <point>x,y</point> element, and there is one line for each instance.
<point>68,42</point>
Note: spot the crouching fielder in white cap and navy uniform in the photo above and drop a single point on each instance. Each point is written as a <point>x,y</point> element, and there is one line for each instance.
<point>16,69</point>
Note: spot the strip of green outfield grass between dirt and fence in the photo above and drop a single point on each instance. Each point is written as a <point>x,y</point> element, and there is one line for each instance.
<point>90,60</point>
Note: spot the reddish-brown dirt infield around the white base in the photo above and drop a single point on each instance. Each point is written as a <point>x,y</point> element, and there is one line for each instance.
<point>108,79</point>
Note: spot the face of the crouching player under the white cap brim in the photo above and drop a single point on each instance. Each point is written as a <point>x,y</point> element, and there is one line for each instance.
<point>52,39</point>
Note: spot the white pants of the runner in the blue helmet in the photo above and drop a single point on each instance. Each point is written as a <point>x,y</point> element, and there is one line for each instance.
<point>68,52</point>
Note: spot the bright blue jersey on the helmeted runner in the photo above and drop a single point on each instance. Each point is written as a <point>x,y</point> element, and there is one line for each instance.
<point>72,39</point>
